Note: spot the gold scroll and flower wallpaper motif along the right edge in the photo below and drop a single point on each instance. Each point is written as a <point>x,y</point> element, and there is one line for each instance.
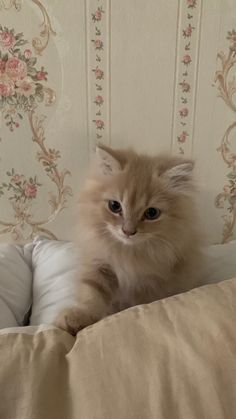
<point>226,86</point>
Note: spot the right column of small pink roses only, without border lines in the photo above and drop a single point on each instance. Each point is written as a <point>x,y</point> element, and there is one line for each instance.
<point>184,83</point>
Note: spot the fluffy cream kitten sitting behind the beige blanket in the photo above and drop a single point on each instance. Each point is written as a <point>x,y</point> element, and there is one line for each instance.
<point>139,234</point>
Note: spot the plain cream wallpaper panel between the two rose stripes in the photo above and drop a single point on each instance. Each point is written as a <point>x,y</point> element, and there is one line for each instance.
<point>143,40</point>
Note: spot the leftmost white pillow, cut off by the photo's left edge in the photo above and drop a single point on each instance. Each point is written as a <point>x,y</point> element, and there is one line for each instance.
<point>15,284</point>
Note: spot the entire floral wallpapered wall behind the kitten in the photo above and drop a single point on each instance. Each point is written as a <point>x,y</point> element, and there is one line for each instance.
<point>154,75</point>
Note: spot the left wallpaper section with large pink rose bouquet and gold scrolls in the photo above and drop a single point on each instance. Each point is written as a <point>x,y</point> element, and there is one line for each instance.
<point>43,118</point>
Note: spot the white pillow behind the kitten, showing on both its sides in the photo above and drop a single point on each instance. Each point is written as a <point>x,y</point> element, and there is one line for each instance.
<point>55,265</point>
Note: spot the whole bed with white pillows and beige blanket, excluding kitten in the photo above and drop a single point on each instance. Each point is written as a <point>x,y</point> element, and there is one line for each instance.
<point>174,358</point>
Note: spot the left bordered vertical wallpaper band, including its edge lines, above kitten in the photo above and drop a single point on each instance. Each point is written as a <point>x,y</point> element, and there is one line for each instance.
<point>97,16</point>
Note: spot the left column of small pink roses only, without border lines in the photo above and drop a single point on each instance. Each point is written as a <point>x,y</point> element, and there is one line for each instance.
<point>98,69</point>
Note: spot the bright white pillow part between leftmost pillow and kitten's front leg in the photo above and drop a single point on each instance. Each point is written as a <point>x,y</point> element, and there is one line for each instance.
<point>55,265</point>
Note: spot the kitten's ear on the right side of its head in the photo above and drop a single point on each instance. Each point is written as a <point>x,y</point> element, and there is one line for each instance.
<point>179,173</point>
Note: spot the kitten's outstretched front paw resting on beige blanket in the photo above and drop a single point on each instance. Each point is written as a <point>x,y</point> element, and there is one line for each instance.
<point>73,320</point>
